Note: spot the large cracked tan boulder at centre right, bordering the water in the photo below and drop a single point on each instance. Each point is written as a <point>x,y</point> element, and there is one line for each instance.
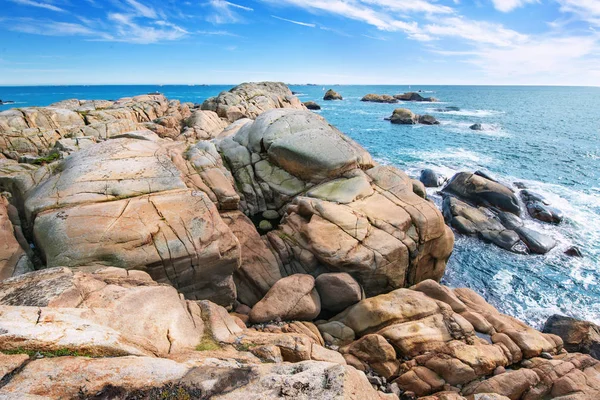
<point>380,232</point>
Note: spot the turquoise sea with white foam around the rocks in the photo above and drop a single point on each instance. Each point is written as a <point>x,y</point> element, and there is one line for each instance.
<point>546,137</point>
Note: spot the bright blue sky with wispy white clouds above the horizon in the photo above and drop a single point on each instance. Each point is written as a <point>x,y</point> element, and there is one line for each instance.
<point>547,42</point>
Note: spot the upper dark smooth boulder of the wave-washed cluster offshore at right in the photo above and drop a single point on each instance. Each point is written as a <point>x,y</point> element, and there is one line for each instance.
<point>480,191</point>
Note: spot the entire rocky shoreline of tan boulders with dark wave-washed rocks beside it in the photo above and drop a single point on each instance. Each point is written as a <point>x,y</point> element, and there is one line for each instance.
<point>245,248</point>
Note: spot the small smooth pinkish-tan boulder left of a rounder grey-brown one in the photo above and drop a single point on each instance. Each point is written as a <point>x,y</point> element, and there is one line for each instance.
<point>291,298</point>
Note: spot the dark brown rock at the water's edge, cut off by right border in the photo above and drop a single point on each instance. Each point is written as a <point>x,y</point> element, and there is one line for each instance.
<point>578,336</point>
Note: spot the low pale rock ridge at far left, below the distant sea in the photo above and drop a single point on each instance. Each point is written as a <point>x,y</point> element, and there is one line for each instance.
<point>35,130</point>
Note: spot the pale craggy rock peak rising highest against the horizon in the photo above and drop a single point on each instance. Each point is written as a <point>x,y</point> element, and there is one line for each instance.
<point>249,100</point>
